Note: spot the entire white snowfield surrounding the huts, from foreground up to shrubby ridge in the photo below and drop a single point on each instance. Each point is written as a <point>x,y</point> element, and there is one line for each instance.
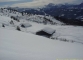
<point>65,43</point>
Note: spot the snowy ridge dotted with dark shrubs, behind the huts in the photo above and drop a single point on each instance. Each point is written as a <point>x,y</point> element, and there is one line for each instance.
<point>30,17</point>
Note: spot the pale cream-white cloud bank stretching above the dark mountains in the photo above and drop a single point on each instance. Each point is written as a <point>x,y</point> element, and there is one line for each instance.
<point>40,3</point>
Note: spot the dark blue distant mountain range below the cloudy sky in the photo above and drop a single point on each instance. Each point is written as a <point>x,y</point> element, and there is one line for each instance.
<point>68,12</point>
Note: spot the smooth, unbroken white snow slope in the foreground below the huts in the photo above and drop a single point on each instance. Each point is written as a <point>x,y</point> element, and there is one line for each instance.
<point>16,45</point>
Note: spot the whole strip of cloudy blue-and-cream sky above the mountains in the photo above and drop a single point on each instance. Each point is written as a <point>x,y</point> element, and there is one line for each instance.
<point>34,3</point>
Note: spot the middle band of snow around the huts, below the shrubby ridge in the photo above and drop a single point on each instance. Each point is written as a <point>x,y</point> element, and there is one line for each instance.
<point>63,33</point>
